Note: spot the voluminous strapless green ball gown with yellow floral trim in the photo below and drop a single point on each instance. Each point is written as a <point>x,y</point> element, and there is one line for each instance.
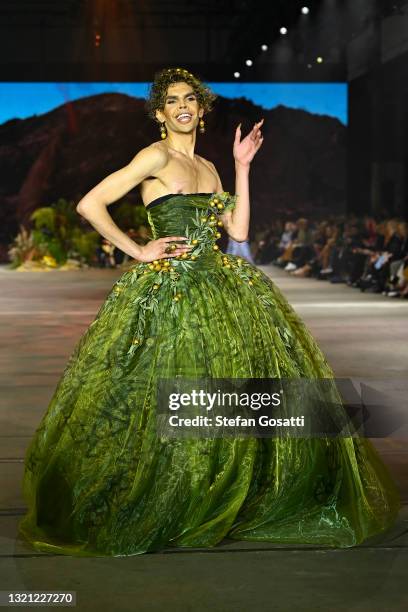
<point>98,479</point>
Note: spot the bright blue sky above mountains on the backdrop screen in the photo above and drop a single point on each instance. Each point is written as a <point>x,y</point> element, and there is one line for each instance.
<point>22,100</point>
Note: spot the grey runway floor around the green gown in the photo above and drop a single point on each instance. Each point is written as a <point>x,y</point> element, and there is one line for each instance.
<point>364,336</point>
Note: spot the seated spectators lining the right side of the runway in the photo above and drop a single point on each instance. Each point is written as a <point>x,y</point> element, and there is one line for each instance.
<point>364,253</point>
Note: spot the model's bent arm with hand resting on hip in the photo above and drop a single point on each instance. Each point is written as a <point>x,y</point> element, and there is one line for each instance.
<point>93,206</point>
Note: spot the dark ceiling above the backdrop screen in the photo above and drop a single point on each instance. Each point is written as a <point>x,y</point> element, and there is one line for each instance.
<point>130,39</point>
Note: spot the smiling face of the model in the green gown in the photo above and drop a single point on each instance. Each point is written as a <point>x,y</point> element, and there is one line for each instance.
<point>181,110</point>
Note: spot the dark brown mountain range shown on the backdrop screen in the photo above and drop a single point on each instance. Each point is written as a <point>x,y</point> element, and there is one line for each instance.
<point>299,171</point>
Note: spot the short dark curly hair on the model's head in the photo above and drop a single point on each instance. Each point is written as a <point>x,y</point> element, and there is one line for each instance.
<point>158,90</point>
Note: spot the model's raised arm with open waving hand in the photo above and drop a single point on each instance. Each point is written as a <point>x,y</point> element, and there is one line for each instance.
<point>236,222</point>
